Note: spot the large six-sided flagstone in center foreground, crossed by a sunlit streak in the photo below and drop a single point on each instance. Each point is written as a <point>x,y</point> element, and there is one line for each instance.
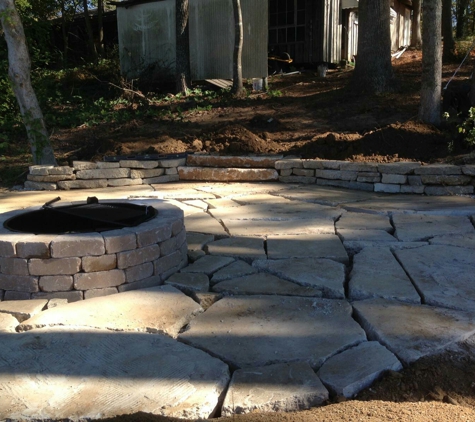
<point>252,331</point>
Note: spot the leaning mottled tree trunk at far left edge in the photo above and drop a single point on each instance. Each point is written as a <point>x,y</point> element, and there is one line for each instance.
<point>19,73</point>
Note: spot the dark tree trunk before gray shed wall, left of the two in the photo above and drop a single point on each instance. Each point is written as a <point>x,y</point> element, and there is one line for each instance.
<point>183,71</point>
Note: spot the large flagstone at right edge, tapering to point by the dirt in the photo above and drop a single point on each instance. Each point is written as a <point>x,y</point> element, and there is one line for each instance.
<point>413,331</point>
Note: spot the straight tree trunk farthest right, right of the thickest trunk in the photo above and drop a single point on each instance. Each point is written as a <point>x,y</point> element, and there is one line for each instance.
<point>431,84</point>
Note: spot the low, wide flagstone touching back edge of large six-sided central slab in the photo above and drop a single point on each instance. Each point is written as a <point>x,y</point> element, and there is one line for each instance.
<point>264,284</point>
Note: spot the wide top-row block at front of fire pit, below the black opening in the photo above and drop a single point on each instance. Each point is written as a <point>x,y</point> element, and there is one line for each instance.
<point>80,244</point>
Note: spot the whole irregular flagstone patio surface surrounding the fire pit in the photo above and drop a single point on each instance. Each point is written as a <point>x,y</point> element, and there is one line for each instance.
<point>292,294</point>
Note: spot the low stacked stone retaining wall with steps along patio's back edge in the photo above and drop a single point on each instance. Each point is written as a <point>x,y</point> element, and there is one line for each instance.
<point>399,177</point>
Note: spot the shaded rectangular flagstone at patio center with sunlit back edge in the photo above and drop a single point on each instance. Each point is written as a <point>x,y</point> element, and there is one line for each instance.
<point>307,246</point>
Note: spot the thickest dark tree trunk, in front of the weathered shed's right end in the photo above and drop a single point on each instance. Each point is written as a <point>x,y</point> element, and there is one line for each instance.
<point>373,71</point>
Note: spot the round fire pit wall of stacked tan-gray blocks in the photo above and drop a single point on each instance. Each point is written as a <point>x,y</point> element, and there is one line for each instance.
<point>85,265</point>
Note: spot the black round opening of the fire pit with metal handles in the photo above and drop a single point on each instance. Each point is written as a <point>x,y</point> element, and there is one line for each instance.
<point>80,218</point>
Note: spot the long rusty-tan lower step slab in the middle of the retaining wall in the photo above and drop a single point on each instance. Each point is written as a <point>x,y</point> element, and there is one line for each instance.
<point>227,175</point>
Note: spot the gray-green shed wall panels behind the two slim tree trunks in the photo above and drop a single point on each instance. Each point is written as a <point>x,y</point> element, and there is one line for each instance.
<point>147,35</point>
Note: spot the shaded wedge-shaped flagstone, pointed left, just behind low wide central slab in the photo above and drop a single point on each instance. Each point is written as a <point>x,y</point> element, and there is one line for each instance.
<point>323,274</point>
